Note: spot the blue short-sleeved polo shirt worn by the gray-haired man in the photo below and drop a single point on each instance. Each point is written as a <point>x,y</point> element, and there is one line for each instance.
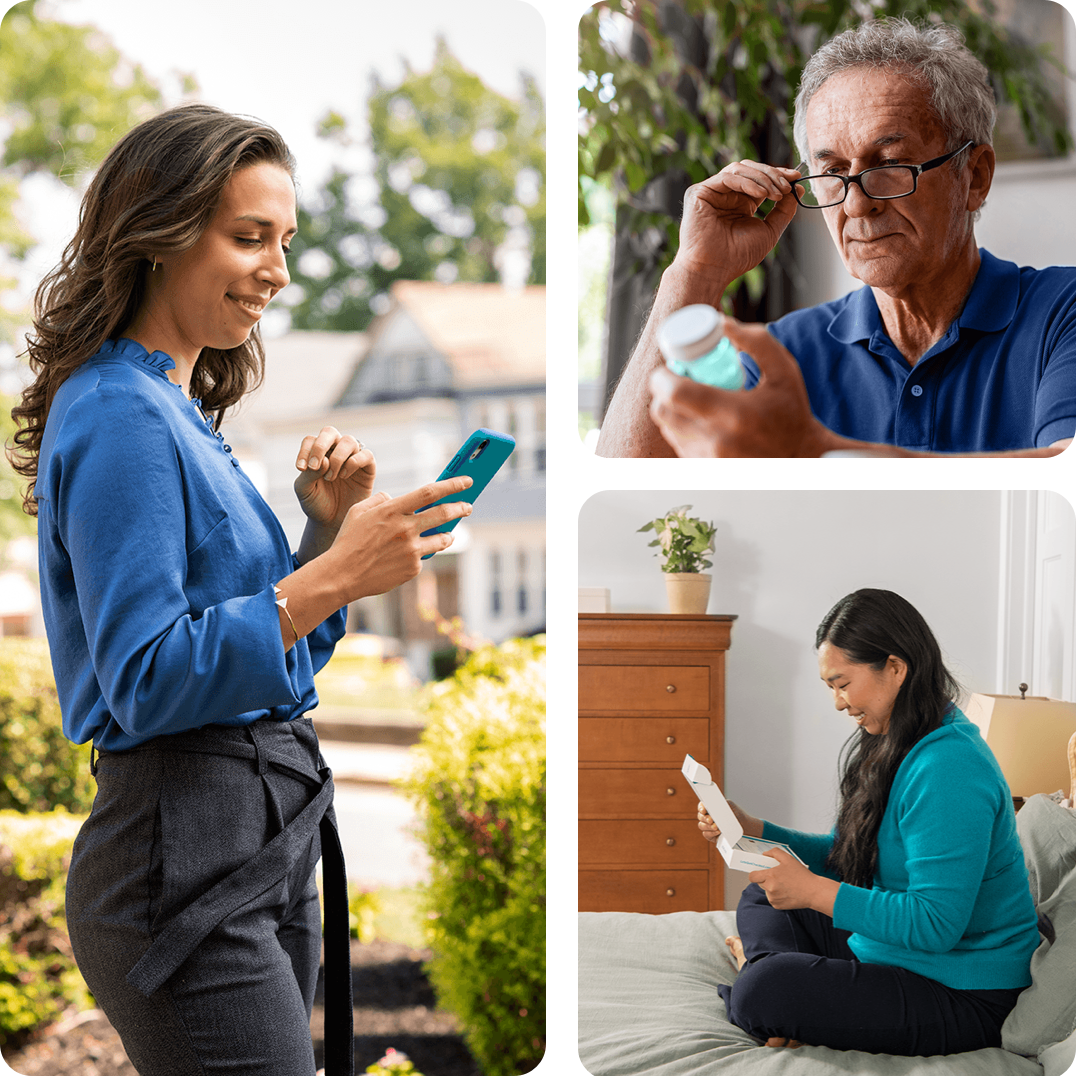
<point>1003,377</point>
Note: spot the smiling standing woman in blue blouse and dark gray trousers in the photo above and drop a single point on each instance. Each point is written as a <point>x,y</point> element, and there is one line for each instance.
<point>185,632</point>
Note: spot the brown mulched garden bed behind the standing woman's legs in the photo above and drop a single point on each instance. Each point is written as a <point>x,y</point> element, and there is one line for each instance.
<point>395,1007</point>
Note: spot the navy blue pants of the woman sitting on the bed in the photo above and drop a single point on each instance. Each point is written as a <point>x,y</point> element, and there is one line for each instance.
<point>803,982</point>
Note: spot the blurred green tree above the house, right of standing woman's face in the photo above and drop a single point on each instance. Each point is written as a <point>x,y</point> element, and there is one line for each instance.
<point>457,166</point>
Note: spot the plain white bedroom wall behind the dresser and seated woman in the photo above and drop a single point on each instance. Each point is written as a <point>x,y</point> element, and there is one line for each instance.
<point>784,559</point>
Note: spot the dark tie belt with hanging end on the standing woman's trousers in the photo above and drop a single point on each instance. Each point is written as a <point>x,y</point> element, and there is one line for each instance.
<point>186,931</point>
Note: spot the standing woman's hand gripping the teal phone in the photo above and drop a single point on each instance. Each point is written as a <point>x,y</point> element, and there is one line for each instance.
<point>379,546</point>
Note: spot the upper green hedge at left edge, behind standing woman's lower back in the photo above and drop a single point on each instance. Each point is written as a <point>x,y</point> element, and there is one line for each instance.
<point>40,769</point>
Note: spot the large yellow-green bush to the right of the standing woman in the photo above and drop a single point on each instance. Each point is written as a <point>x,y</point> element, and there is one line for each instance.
<point>479,785</point>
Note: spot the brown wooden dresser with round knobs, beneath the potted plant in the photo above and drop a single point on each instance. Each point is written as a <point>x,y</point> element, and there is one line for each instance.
<point>652,689</point>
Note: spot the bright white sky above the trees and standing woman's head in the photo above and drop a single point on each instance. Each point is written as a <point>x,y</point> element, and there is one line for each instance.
<point>288,63</point>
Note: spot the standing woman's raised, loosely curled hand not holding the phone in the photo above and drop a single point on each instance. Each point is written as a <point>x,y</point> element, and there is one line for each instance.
<point>335,473</point>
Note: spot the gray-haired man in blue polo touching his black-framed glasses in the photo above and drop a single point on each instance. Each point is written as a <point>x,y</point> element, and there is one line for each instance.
<point>948,351</point>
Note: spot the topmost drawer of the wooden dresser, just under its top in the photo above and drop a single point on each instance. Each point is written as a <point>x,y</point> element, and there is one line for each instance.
<point>645,688</point>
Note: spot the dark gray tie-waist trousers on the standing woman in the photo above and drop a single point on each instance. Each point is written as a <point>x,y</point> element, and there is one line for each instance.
<point>193,910</point>
